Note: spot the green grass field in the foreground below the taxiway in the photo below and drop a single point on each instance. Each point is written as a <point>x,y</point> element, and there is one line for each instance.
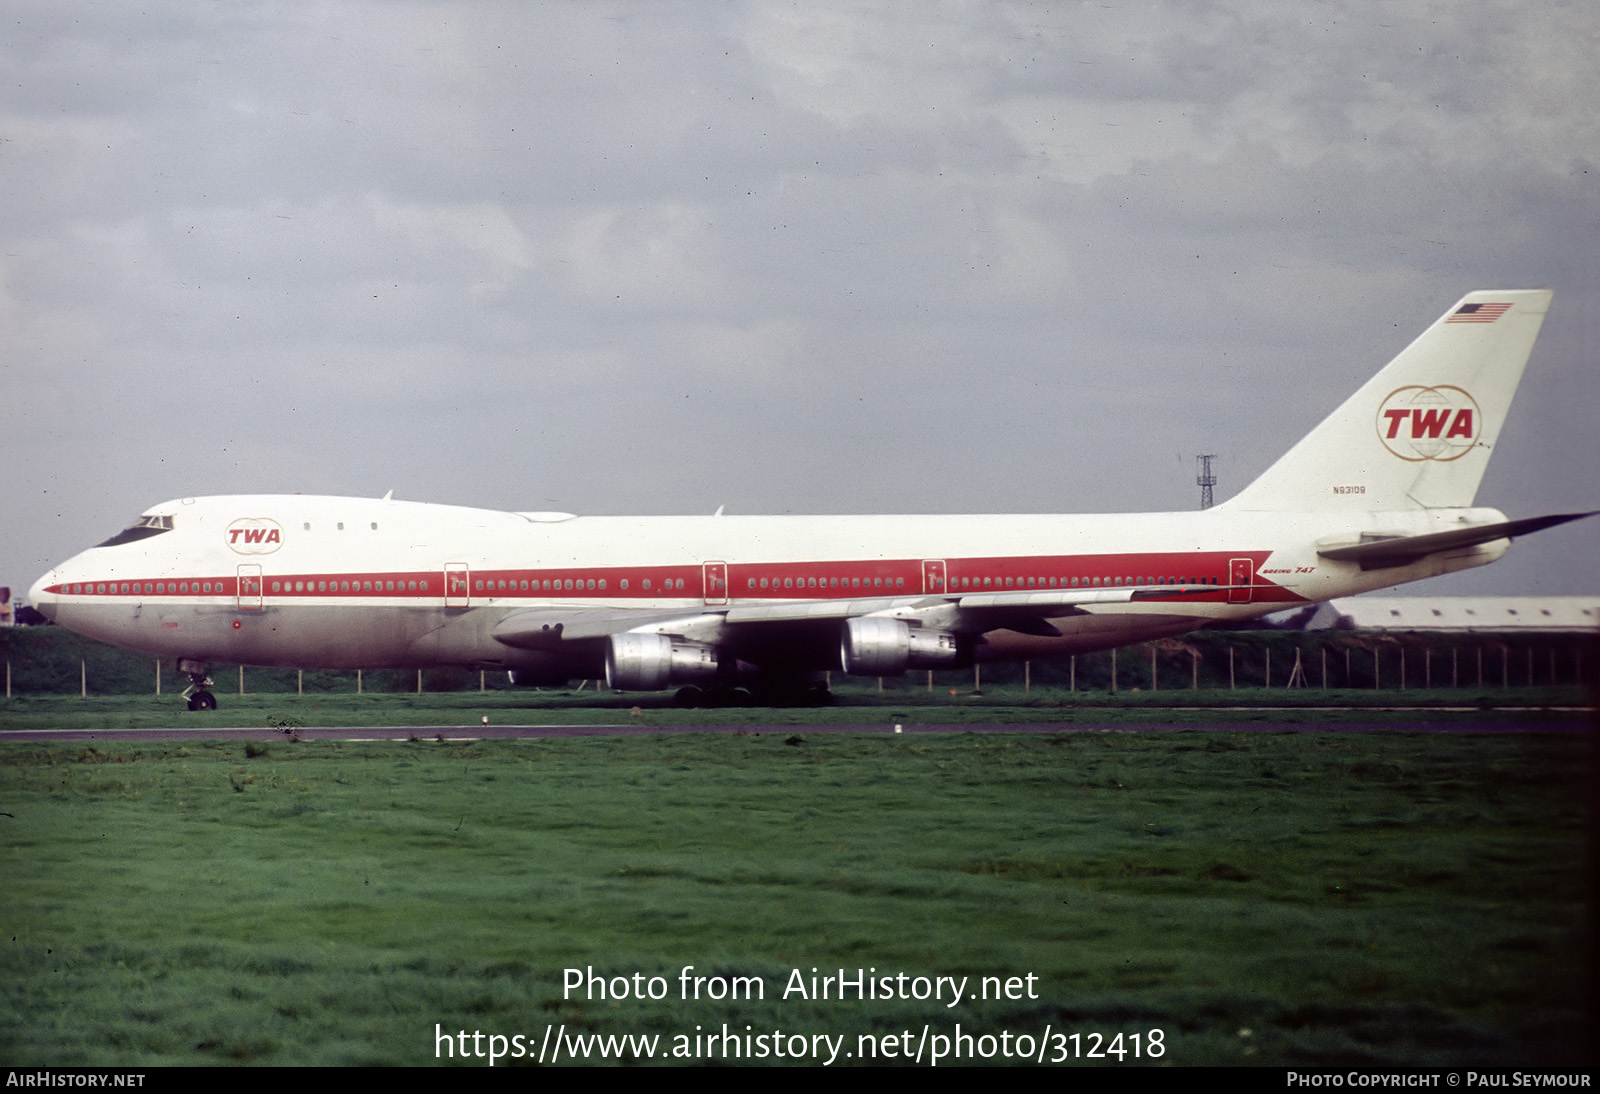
<point>1274,898</point>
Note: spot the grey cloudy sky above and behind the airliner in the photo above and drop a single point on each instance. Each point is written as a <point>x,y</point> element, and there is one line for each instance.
<point>775,257</point>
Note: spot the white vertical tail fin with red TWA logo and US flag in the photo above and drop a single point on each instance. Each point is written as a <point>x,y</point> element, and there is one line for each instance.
<point>1422,433</point>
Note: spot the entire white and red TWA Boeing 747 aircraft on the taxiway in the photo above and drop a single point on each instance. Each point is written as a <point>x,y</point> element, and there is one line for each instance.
<point>1378,495</point>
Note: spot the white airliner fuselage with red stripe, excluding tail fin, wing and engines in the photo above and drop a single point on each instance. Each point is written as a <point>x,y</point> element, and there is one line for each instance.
<point>348,583</point>
